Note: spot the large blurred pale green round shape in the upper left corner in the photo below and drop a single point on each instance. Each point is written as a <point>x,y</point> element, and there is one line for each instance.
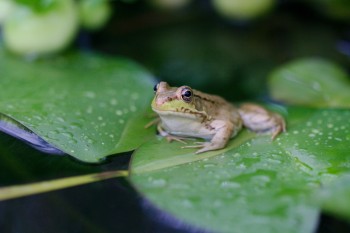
<point>28,32</point>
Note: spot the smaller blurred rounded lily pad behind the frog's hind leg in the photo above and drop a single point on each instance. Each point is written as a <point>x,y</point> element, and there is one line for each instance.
<point>319,82</point>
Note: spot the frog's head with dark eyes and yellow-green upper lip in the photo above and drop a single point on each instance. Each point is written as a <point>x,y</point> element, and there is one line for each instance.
<point>173,99</point>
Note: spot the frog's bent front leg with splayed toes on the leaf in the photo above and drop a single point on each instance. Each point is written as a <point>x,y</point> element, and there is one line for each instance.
<point>223,129</point>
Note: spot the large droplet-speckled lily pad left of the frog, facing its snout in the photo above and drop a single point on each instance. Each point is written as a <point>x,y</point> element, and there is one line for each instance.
<point>83,104</point>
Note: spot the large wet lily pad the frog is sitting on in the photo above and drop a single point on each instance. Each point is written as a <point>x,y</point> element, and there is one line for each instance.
<point>255,184</point>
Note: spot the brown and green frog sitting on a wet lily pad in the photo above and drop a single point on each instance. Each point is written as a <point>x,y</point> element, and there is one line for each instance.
<point>185,113</point>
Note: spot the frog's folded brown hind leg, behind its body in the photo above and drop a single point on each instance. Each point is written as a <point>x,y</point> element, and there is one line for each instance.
<point>258,119</point>
